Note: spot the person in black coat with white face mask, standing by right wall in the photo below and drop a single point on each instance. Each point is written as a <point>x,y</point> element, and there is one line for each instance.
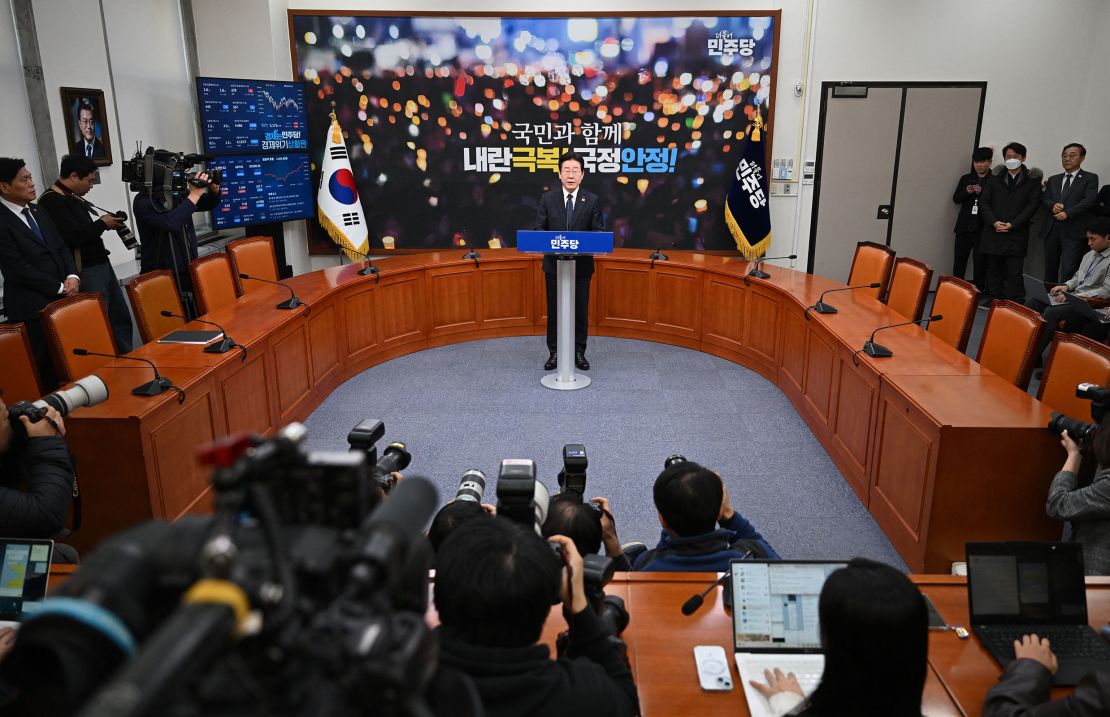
<point>1008,204</point>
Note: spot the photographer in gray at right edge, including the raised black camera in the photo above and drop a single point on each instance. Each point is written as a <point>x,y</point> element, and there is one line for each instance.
<point>1086,506</point>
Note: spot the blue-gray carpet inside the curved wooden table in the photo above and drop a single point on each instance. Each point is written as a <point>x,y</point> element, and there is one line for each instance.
<point>472,405</point>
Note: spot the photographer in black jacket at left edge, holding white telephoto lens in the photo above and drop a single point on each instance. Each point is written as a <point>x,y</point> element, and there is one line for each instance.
<point>36,477</point>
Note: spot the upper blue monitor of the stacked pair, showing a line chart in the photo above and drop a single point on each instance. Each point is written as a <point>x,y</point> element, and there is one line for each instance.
<point>253,116</point>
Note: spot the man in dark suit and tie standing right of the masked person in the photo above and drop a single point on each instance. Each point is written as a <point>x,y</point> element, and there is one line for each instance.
<point>1069,199</point>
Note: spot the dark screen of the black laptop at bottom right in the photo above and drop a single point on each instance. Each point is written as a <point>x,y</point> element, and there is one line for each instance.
<point>1026,583</point>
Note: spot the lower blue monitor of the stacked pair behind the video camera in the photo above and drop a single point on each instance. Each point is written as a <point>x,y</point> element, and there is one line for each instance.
<point>260,189</point>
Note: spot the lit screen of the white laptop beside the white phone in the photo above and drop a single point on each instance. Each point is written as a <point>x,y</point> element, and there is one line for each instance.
<point>775,605</point>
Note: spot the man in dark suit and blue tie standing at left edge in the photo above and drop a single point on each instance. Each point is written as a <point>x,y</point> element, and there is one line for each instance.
<point>37,266</point>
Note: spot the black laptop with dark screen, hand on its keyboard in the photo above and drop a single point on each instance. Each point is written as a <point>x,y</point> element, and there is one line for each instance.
<point>1022,588</point>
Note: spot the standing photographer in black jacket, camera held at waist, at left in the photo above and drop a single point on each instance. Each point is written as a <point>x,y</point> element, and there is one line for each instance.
<point>70,215</point>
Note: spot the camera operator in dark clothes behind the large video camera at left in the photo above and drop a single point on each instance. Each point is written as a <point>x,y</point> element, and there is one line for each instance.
<point>169,238</point>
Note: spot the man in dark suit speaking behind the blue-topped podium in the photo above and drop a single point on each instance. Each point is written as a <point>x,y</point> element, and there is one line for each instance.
<point>570,208</point>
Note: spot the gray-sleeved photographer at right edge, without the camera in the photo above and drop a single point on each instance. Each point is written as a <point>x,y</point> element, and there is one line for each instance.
<point>1087,508</point>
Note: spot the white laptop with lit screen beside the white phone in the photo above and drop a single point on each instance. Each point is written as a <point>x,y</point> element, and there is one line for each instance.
<point>775,622</point>
